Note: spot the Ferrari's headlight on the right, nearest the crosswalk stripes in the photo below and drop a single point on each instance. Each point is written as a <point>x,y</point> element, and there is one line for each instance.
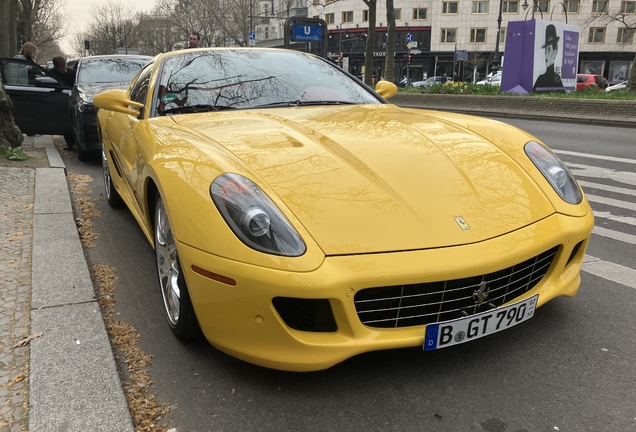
<point>555,171</point>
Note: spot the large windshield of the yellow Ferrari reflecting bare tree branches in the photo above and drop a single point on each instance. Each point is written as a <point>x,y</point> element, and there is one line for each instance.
<point>240,79</point>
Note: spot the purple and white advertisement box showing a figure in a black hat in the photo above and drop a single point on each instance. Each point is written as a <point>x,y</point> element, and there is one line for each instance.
<point>541,56</point>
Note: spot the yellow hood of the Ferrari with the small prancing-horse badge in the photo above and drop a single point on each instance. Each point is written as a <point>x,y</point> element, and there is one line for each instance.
<point>378,178</point>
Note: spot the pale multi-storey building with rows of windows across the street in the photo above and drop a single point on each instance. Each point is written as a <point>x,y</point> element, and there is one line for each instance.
<point>431,33</point>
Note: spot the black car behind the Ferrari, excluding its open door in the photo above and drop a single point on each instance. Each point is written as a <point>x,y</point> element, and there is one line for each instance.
<point>94,75</point>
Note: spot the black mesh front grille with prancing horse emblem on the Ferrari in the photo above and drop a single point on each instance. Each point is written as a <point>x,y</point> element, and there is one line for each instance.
<point>425,303</point>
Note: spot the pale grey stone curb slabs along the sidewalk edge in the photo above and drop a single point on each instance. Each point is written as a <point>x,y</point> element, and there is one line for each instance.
<point>74,383</point>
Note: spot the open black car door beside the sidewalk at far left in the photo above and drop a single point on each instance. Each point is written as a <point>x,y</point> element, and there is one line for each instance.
<point>40,102</point>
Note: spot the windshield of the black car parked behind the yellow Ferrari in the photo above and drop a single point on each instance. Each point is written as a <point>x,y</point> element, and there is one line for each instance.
<point>109,70</point>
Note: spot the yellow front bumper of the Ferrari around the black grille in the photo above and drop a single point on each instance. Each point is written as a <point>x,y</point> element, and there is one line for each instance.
<point>242,320</point>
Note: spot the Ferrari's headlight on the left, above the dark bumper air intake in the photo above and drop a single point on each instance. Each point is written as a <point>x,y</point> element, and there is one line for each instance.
<point>253,217</point>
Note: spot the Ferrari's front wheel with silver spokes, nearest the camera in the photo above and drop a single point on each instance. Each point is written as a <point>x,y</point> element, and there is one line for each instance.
<point>174,291</point>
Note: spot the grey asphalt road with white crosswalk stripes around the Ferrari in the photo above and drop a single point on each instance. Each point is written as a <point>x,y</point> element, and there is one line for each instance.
<point>570,368</point>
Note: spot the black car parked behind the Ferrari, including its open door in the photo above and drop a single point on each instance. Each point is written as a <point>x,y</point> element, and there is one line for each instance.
<point>44,105</point>
